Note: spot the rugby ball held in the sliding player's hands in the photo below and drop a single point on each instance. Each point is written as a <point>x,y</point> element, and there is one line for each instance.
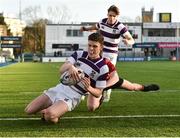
<point>66,79</point>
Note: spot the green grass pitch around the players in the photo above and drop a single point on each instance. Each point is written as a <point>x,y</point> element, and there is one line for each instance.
<point>22,82</point>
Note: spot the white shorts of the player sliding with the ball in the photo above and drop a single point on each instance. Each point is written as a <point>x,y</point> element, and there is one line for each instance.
<point>64,93</point>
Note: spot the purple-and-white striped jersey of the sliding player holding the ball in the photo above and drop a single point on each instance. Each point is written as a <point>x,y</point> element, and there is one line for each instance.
<point>97,70</point>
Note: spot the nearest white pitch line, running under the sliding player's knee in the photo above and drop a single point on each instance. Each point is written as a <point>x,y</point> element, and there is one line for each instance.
<point>97,117</point>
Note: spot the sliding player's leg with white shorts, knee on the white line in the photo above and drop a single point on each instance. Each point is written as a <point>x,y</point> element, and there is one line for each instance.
<point>64,99</point>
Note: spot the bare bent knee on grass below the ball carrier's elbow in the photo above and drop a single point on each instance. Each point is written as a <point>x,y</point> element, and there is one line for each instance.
<point>93,102</point>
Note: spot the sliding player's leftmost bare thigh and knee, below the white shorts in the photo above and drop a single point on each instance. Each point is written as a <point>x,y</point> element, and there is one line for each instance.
<point>38,104</point>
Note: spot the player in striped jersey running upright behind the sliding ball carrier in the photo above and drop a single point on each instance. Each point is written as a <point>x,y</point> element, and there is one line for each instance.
<point>112,30</point>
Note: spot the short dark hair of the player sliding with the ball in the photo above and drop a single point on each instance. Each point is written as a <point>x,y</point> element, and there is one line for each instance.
<point>97,37</point>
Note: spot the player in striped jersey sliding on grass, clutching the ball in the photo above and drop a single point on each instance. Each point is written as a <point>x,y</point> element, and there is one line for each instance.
<point>58,100</point>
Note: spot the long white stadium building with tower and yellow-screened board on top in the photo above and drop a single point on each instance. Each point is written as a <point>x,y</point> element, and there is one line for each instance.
<point>153,40</point>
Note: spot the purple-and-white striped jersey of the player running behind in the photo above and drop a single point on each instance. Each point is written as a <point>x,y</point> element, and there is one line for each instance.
<point>112,34</point>
